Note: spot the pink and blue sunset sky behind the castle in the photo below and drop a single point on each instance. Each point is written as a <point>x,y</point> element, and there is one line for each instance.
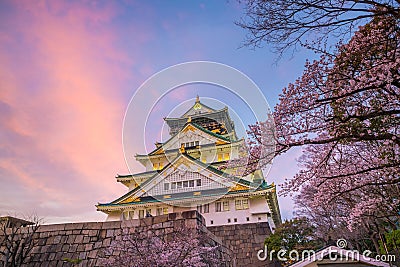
<point>68,70</point>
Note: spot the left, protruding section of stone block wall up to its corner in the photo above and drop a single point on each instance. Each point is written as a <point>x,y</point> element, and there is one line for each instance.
<point>87,243</point>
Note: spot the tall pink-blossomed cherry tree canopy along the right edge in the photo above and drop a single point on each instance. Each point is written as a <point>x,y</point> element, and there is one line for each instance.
<point>346,110</point>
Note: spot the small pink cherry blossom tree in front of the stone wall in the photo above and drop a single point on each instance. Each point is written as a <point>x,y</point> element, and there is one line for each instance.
<point>182,246</point>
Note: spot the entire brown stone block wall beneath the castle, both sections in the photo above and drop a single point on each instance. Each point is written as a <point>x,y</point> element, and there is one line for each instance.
<point>86,243</point>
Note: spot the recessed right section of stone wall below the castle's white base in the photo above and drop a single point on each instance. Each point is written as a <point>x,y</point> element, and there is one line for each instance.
<point>244,240</point>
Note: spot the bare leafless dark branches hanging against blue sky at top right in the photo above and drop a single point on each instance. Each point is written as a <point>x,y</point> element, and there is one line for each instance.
<point>289,23</point>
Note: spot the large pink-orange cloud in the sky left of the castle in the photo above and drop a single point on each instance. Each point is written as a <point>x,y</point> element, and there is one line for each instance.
<point>64,82</point>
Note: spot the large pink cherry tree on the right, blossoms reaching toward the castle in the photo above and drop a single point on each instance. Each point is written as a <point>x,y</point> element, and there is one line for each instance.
<point>344,112</point>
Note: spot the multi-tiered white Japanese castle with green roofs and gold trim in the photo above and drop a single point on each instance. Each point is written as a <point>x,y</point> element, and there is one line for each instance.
<point>191,171</point>
